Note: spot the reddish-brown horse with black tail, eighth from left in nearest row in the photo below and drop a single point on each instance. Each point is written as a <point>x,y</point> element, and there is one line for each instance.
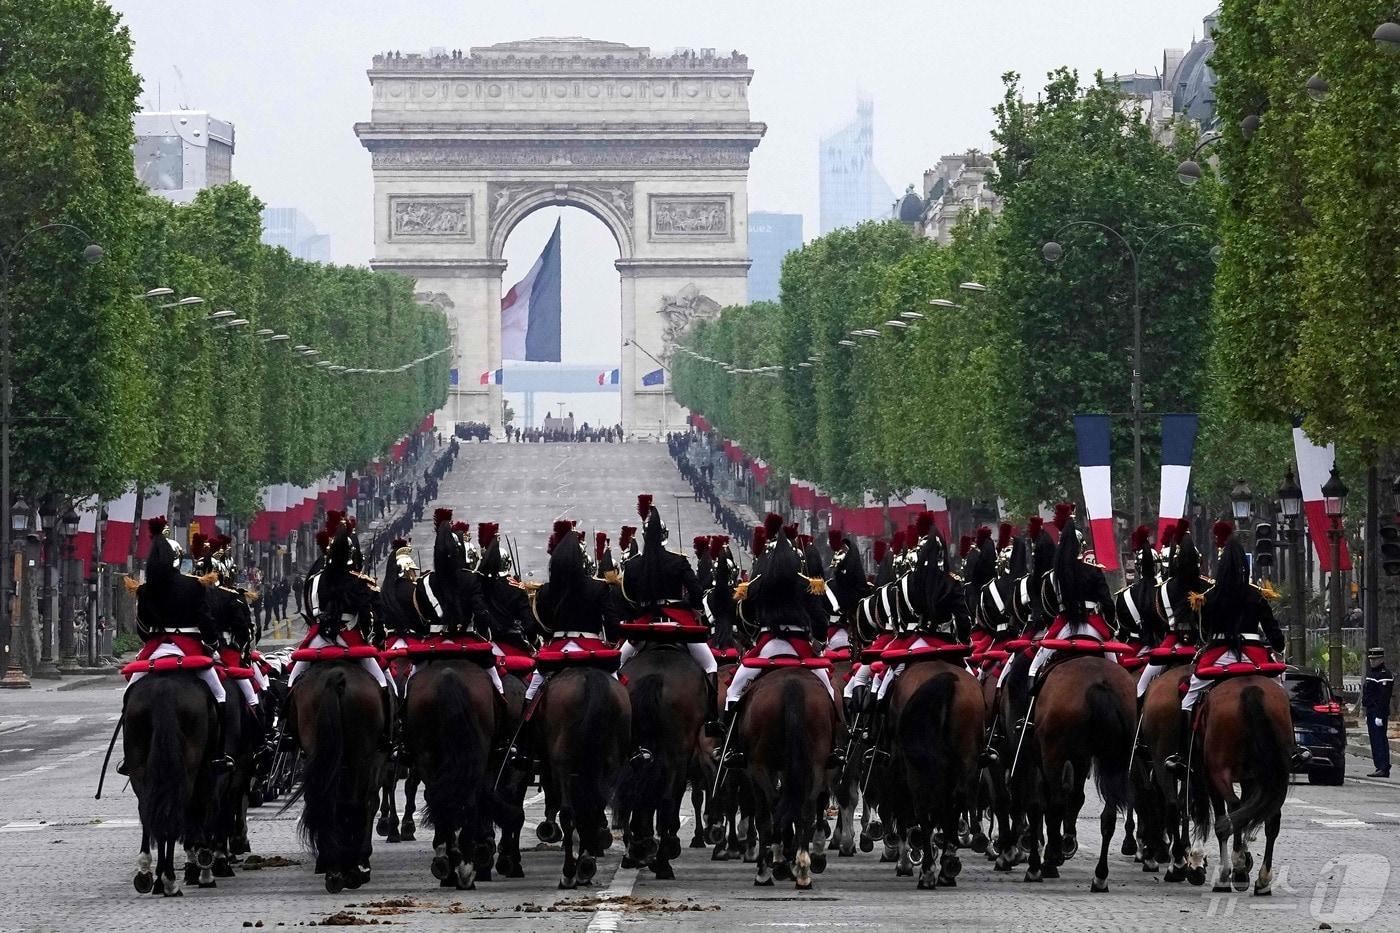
<point>1083,717</point>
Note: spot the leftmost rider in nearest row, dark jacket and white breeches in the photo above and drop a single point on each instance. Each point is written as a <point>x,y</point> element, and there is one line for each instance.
<point>176,618</point>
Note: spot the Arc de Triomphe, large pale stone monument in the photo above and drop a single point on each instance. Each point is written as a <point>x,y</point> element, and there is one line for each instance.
<point>468,144</point>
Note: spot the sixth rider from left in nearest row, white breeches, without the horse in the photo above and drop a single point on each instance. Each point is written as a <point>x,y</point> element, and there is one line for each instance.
<point>776,602</point>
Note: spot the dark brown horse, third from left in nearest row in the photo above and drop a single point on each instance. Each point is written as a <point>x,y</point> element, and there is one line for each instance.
<point>450,721</point>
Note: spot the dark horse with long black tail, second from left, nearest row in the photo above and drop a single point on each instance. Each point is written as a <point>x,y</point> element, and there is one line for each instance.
<point>341,726</point>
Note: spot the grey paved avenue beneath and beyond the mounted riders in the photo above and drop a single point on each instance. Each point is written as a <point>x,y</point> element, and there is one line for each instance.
<point>66,861</point>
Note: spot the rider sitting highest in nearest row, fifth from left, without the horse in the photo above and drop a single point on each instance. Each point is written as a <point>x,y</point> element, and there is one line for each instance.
<point>660,588</point>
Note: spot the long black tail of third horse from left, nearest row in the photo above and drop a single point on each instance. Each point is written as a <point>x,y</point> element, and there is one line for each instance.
<point>460,767</point>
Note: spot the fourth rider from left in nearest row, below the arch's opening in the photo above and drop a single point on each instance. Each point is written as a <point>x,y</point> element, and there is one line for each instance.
<point>576,609</point>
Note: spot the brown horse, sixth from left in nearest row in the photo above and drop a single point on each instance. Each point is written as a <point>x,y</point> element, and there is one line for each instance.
<point>789,728</point>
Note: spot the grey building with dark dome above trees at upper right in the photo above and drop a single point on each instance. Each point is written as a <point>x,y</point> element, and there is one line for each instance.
<point>1184,89</point>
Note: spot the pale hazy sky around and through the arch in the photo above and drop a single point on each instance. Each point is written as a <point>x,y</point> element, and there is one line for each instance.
<point>292,78</point>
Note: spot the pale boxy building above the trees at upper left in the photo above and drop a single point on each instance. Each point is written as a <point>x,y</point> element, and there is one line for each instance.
<point>180,153</point>
